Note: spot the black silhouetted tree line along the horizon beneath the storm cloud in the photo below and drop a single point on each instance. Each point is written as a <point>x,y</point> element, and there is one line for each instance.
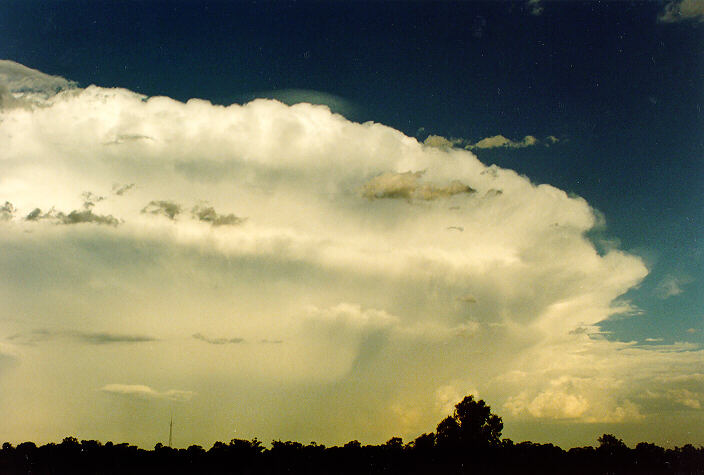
<point>466,442</point>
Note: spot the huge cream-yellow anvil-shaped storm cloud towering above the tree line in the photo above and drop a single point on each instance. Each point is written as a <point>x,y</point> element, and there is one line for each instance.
<point>395,273</point>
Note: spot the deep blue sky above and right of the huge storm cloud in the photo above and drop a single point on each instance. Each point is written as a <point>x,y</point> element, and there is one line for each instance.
<point>623,91</point>
